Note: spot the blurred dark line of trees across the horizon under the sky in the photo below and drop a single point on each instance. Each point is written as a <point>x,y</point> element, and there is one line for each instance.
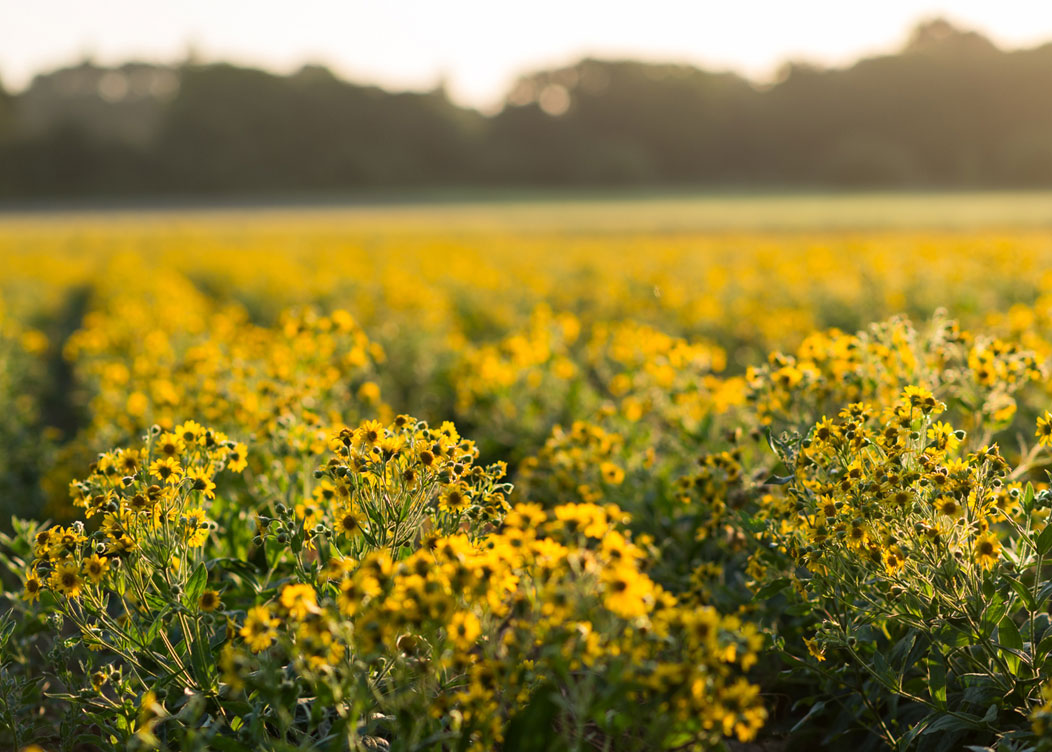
<point>949,110</point>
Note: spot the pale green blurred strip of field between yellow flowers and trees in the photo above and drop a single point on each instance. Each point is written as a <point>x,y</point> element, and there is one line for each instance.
<point>621,213</point>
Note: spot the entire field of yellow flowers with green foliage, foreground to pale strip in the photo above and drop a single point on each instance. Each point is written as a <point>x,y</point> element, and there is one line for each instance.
<point>295,482</point>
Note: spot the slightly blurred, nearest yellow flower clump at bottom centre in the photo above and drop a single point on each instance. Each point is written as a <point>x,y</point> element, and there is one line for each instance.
<point>461,635</point>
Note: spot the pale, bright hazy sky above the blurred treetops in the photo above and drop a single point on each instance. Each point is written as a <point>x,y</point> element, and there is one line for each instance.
<point>479,47</point>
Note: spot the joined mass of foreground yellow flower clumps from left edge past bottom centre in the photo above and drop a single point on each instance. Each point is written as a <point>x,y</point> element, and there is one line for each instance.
<point>400,586</point>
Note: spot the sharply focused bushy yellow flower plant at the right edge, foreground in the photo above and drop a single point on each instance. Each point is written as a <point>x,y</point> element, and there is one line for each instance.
<point>919,555</point>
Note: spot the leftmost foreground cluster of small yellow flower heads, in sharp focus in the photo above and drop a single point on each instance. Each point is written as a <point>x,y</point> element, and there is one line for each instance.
<point>152,511</point>
